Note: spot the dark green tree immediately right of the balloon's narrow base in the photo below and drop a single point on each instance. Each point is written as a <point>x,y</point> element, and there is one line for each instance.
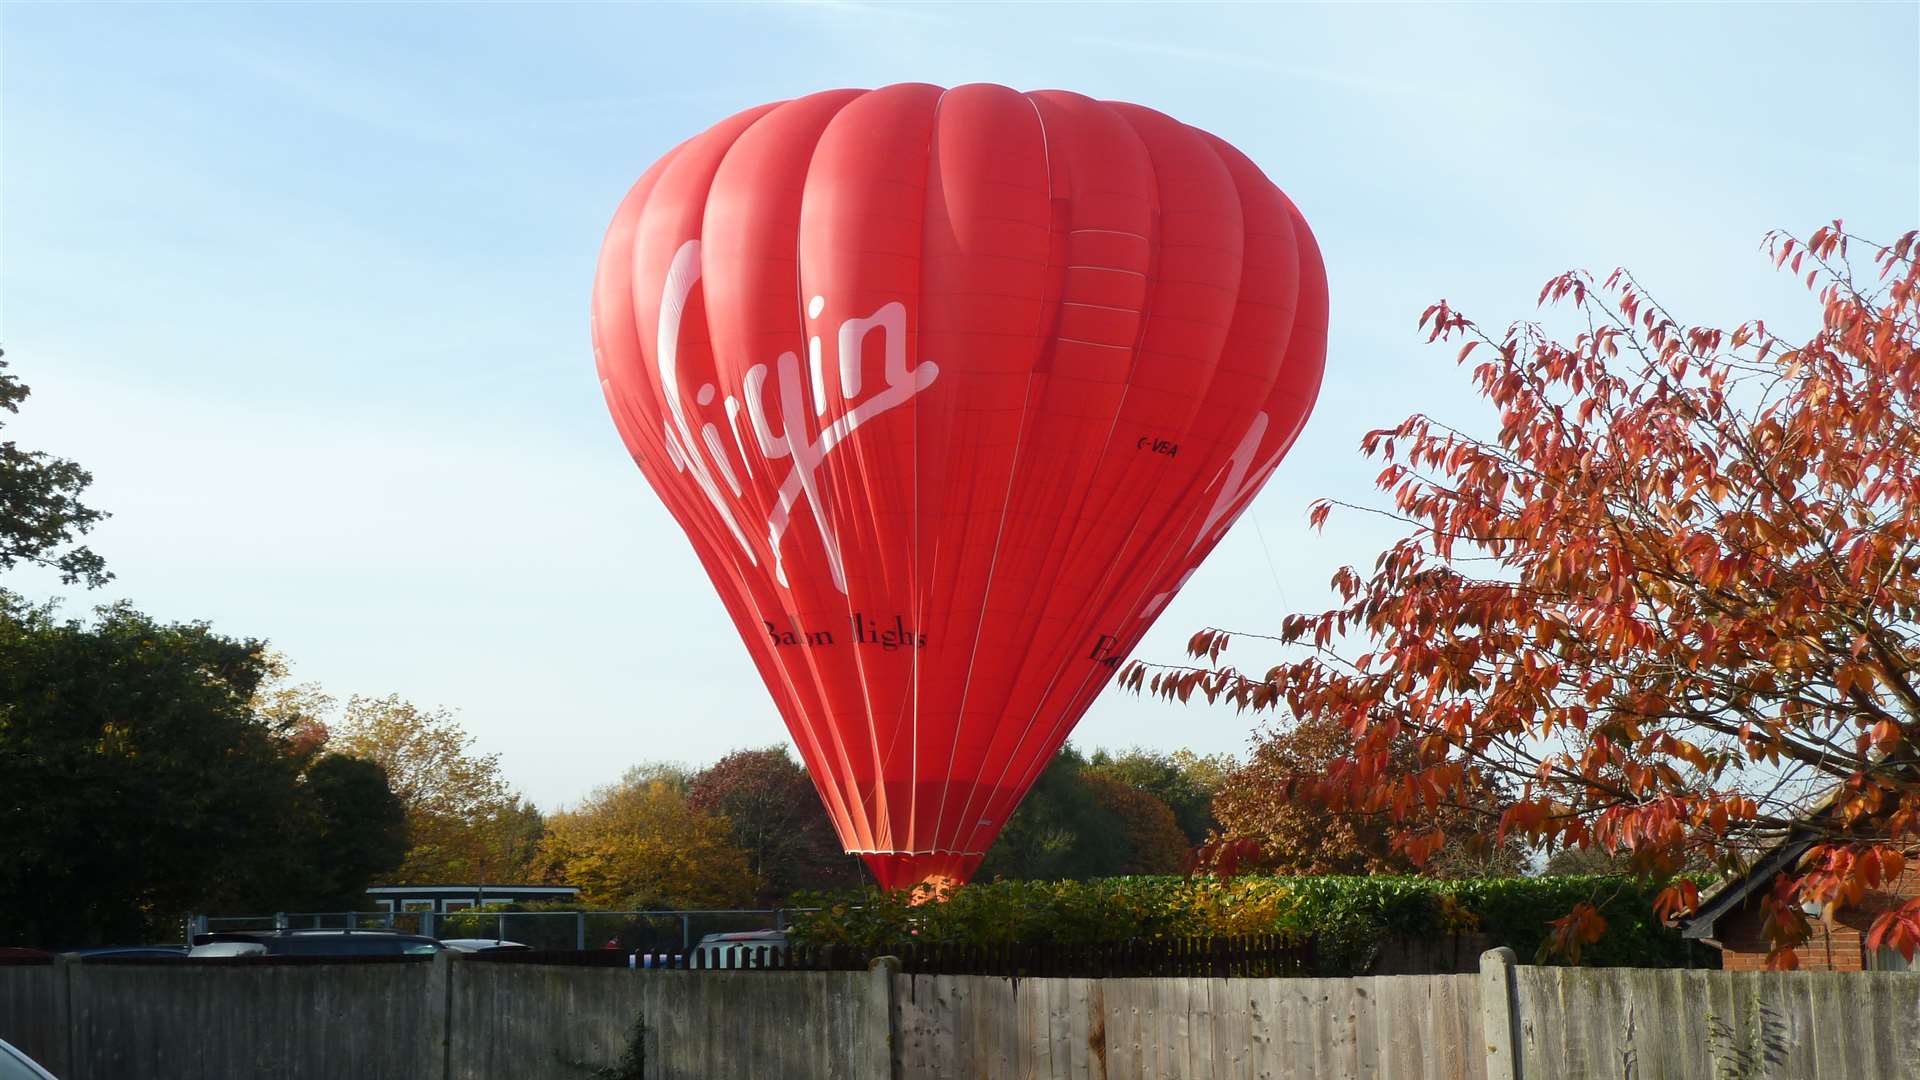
<point>1061,831</point>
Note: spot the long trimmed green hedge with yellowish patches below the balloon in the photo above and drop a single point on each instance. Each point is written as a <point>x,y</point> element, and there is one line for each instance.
<point>1345,916</point>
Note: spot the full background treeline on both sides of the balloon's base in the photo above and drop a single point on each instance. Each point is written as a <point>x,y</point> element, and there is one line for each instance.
<point>153,770</point>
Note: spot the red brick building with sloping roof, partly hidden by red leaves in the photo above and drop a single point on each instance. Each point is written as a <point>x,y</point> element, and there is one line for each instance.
<point>1731,920</point>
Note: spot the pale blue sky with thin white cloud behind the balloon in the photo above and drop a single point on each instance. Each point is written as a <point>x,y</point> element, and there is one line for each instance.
<point>306,287</point>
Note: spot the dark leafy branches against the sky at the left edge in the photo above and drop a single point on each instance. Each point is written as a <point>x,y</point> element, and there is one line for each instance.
<point>41,510</point>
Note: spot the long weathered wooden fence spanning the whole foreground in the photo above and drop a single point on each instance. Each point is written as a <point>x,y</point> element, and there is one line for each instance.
<point>456,1019</point>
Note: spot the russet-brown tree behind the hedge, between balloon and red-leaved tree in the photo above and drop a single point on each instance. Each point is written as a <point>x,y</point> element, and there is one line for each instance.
<point>1303,839</point>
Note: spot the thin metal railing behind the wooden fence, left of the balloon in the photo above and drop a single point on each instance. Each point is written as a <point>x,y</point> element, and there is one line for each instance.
<point>633,931</point>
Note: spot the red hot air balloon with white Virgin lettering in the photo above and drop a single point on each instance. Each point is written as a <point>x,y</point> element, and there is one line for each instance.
<point>953,391</point>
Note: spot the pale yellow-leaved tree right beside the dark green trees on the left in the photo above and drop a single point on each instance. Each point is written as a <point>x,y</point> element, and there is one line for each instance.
<point>464,822</point>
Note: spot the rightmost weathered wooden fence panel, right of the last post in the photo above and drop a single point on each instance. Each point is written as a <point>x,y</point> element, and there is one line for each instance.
<point>1706,1025</point>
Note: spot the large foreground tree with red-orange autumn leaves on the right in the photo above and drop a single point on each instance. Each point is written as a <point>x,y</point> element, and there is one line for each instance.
<point>1673,606</point>
